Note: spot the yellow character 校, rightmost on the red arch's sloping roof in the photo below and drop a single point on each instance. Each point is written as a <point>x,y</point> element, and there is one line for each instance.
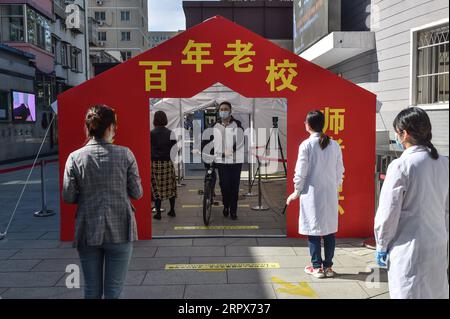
<point>283,72</point>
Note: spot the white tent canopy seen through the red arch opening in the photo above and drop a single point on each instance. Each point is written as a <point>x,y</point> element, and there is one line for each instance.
<point>252,112</point>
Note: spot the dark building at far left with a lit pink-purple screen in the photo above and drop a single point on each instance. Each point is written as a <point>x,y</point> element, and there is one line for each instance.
<point>28,82</point>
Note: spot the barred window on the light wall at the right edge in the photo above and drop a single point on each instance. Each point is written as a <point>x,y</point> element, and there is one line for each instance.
<point>432,66</point>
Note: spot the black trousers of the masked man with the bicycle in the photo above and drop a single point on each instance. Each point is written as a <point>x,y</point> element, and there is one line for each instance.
<point>229,180</point>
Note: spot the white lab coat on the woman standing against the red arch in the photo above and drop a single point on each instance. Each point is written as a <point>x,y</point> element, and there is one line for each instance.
<point>318,175</point>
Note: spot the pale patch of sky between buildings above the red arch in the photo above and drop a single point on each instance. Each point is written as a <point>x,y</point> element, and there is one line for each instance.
<point>166,15</point>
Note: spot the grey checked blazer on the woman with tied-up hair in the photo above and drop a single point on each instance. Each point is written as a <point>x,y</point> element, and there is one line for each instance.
<point>101,178</point>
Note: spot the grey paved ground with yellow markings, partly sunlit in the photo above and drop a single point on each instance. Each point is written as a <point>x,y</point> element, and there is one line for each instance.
<point>33,261</point>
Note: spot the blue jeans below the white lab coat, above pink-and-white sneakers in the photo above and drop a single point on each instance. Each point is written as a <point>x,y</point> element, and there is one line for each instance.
<point>315,250</point>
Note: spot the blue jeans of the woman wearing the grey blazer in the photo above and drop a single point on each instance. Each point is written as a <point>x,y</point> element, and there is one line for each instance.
<point>105,268</point>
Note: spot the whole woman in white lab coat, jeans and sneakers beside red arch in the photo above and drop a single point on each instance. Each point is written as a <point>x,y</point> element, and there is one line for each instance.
<point>318,176</point>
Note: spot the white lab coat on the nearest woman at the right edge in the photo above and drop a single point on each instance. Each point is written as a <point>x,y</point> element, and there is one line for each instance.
<point>411,224</point>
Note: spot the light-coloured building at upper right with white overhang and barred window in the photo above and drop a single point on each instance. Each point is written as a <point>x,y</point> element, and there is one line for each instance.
<point>396,49</point>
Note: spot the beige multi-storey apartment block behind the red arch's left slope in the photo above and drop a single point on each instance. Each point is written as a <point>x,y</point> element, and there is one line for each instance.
<point>123,27</point>
